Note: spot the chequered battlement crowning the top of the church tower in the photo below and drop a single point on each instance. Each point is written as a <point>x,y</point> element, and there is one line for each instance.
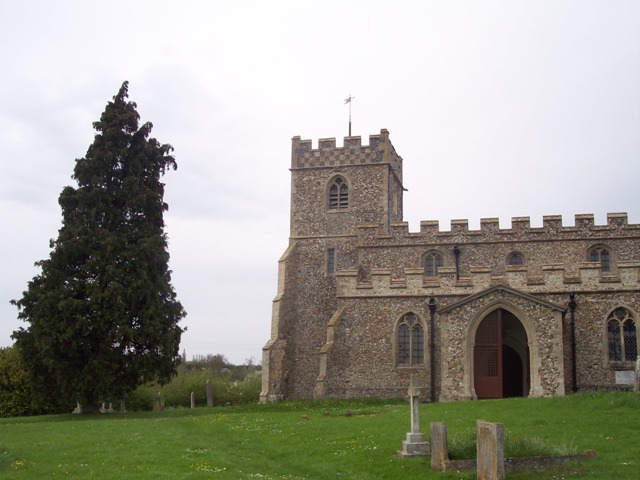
<point>379,151</point>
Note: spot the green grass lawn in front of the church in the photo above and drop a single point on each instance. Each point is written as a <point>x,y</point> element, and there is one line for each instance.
<point>314,440</point>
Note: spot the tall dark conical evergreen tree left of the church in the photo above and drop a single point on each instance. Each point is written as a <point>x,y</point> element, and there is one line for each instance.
<point>102,314</point>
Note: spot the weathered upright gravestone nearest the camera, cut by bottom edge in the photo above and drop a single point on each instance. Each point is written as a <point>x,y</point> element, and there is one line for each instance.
<point>490,450</point>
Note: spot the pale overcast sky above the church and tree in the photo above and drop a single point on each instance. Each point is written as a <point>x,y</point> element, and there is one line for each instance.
<point>498,108</point>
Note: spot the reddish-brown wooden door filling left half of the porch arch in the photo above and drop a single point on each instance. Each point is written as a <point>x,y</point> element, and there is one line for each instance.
<point>487,357</point>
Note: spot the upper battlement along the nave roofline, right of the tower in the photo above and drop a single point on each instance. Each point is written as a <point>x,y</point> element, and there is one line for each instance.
<point>552,227</point>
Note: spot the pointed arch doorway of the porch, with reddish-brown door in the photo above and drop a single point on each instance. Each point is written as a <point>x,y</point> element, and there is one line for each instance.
<point>501,356</point>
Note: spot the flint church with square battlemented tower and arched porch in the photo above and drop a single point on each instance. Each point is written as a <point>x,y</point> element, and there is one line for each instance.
<point>363,303</point>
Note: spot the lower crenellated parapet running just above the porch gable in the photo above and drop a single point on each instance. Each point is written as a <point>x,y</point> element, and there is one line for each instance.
<point>553,279</point>
